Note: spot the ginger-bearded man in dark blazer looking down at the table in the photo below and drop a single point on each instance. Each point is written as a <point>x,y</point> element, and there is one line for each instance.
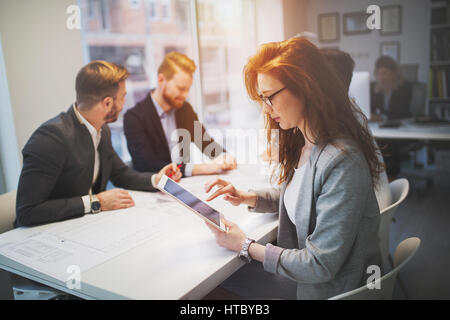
<point>149,125</point>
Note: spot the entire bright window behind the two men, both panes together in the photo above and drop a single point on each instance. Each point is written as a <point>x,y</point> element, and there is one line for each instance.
<point>129,33</point>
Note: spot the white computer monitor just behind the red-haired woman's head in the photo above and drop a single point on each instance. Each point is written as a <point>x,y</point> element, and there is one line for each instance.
<point>360,91</point>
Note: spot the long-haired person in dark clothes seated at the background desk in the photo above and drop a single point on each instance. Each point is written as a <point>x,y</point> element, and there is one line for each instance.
<point>390,99</point>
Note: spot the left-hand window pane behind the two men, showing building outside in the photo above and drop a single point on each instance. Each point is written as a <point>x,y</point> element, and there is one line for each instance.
<point>136,42</point>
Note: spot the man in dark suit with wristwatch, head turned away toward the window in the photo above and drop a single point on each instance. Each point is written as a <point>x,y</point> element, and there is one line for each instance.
<point>69,159</point>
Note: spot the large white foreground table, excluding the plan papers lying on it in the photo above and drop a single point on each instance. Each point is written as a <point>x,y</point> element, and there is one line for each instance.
<point>184,262</point>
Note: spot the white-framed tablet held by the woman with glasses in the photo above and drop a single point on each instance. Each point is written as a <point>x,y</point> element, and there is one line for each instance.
<point>189,200</point>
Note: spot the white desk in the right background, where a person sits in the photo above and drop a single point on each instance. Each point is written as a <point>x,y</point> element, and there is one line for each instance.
<point>411,131</point>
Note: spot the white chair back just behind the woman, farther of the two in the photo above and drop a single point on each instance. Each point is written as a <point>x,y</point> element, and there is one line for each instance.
<point>399,191</point>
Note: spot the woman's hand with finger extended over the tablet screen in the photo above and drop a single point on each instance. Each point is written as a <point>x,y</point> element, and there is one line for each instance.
<point>231,194</point>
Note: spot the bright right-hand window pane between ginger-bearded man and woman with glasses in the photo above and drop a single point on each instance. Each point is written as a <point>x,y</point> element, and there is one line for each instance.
<point>227,39</point>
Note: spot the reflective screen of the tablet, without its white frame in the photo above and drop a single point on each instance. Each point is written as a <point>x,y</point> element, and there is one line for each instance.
<point>192,201</point>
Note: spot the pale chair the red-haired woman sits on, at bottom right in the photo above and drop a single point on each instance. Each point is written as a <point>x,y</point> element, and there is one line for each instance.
<point>403,254</point>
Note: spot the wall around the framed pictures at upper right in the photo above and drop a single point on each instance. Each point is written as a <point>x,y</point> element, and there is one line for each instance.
<point>365,48</point>
